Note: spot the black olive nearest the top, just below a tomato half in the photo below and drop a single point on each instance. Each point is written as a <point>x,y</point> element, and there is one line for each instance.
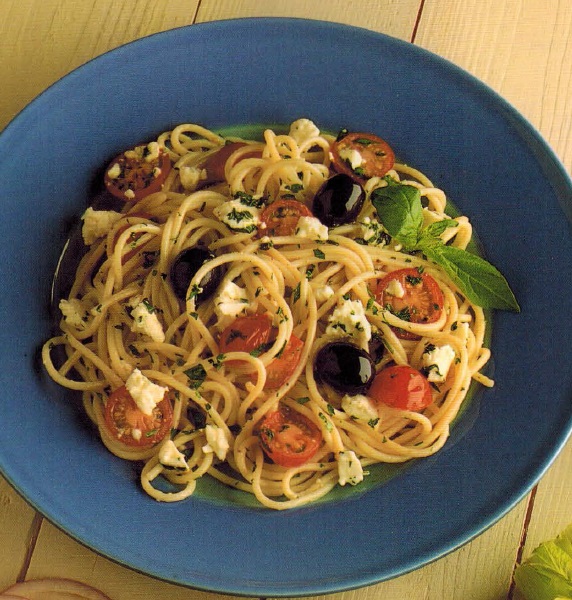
<point>338,201</point>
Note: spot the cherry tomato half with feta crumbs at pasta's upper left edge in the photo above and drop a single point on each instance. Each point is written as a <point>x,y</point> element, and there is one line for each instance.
<point>136,173</point>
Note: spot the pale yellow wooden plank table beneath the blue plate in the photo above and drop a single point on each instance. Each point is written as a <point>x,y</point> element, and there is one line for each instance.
<point>521,48</point>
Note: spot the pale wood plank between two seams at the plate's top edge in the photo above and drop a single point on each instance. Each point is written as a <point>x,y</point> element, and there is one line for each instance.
<point>393,18</point>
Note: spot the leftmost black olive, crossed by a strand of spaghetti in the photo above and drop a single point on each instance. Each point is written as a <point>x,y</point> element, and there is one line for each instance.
<point>185,267</point>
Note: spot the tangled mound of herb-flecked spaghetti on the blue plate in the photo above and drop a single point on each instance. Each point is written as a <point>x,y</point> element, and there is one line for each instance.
<point>123,321</point>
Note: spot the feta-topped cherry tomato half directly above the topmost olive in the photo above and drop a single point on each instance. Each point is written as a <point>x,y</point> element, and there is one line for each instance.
<point>362,156</point>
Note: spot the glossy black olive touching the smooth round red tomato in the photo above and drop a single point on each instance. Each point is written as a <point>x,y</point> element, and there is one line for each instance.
<point>345,367</point>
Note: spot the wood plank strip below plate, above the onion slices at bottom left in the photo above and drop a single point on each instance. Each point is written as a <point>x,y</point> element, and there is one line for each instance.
<point>57,555</point>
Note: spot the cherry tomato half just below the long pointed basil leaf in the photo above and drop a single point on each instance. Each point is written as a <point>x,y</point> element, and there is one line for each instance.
<point>412,296</point>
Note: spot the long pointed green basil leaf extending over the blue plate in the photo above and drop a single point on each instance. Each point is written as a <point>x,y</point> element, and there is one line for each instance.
<point>480,281</point>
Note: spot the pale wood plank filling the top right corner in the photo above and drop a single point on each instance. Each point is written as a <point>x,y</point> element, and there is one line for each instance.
<point>521,48</point>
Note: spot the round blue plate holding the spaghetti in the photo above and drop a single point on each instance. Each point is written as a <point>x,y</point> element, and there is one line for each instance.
<point>493,165</point>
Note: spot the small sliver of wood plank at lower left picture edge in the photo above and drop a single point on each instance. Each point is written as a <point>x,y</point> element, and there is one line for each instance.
<point>17,521</point>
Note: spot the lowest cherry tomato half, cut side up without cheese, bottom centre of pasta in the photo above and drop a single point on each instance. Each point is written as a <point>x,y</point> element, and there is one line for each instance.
<point>288,437</point>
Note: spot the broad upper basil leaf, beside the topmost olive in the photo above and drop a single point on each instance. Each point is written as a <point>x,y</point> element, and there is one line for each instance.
<point>399,209</point>
